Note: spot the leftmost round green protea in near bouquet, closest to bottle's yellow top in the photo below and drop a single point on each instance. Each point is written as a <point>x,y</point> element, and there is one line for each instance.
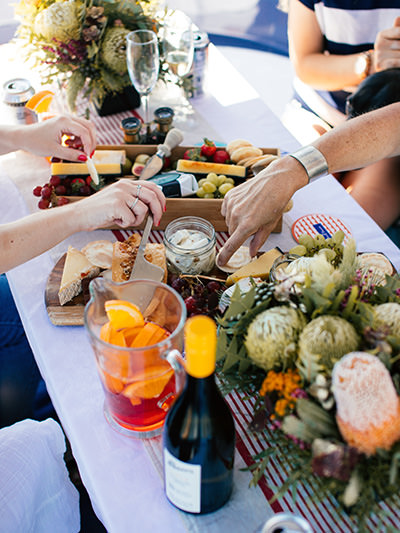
<point>272,337</point>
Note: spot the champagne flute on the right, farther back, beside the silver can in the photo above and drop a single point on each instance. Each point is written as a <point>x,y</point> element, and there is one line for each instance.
<point>178,47</point>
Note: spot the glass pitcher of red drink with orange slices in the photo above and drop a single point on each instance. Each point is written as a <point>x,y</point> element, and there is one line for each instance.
<point>141,383</point>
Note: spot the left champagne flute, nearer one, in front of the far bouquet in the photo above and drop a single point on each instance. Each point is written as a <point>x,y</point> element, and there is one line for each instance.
<point>143,62</point>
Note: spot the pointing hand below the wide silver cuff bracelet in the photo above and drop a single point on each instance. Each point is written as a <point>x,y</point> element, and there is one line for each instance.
<point>254,207</point>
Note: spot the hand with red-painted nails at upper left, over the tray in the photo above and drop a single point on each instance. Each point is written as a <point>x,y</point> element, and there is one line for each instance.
<point>44,138</point>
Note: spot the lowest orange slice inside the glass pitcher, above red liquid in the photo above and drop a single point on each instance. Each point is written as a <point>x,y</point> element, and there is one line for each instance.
<point>150,383</point>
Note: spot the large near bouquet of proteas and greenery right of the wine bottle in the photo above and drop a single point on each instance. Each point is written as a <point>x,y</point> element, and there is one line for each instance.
<point>318,348</point>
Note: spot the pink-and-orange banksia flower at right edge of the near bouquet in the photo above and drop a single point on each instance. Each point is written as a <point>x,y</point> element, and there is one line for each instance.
<point>367,405</point>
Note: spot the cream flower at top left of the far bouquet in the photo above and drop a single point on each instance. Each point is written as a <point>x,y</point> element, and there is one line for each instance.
<point>59,21</point>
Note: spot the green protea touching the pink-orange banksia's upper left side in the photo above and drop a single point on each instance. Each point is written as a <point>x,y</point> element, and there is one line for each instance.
<point>324,341</point>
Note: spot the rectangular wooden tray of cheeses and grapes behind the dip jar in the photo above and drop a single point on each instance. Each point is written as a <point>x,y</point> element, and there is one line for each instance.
<point>208,208</point>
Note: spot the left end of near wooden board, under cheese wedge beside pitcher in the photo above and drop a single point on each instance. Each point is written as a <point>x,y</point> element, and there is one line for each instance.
<point>70,314</point>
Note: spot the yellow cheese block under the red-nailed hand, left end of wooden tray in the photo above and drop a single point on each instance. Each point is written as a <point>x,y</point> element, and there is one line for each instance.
<point>106,162</point>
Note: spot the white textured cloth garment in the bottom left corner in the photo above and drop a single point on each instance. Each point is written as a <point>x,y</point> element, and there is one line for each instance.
<point>36,494</point>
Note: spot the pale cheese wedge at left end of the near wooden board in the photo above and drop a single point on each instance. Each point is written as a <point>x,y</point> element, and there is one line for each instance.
<point>76,268</point>
